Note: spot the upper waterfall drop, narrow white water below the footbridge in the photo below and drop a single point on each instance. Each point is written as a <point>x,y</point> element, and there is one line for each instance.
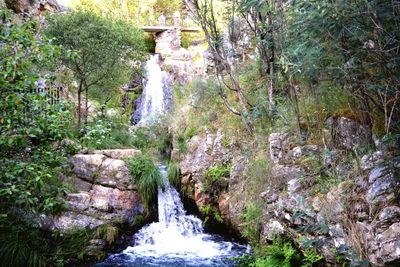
<point>157,93</point>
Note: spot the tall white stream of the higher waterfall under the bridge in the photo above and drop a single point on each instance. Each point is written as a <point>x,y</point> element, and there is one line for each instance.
<point>153,102</point>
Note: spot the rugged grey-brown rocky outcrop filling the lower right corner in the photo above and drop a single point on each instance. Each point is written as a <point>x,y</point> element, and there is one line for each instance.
<point>357,219</point>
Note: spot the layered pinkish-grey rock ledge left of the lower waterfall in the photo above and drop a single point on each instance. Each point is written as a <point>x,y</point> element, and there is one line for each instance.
<point>106,193</point>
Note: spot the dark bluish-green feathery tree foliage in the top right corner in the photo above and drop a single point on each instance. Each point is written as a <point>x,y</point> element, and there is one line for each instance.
<point>351,44</point>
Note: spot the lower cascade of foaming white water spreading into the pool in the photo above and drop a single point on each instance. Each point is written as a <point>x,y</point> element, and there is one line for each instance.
<point>177,239</point>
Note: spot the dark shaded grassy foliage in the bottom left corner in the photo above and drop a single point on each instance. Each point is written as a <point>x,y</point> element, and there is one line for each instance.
<point>22,243</point>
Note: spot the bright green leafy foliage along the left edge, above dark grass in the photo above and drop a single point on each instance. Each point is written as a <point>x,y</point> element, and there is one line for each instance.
<point>31,129</point>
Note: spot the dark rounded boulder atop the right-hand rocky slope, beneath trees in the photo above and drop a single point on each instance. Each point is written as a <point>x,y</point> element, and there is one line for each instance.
<point>350,134</point>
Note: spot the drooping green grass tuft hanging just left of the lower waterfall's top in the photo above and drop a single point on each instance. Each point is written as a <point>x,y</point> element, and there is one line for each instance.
<point>147,177</point>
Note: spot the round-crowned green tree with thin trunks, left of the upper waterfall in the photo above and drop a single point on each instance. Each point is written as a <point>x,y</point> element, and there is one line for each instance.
<point>100,51</point>
